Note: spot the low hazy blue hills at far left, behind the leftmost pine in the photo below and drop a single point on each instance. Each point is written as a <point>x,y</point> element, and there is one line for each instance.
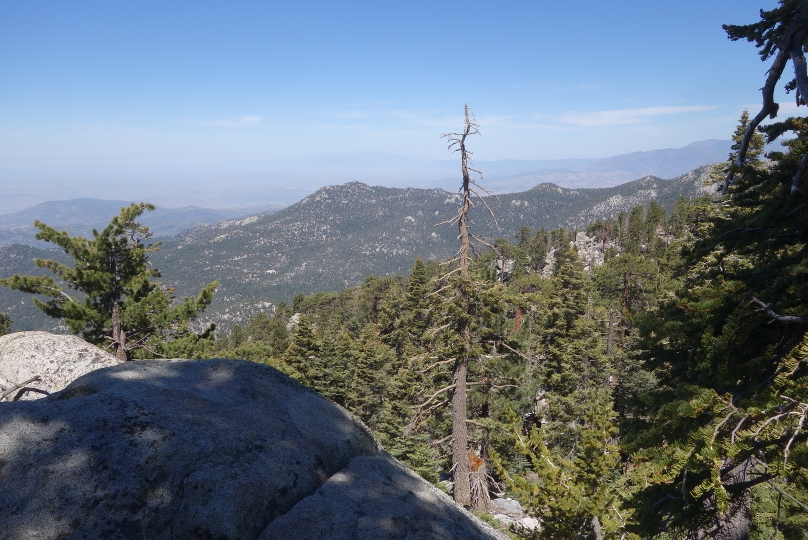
<point>81,216</point>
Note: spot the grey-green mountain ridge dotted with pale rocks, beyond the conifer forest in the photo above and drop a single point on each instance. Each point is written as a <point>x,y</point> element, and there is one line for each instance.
<point>338,235</point>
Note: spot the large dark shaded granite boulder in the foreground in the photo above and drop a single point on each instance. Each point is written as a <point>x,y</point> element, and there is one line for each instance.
<point>206,449</point>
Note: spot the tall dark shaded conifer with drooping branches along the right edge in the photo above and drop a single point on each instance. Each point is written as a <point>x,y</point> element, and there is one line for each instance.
<point>726,423</point>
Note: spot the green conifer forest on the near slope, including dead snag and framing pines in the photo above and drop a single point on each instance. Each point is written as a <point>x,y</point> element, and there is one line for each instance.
<point>662,393</point>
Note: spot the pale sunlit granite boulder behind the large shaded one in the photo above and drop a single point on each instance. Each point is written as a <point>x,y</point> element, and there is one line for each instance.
<point>57,360</point>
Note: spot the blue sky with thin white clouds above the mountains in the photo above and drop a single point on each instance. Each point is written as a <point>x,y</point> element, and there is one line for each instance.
<point>178,91</point>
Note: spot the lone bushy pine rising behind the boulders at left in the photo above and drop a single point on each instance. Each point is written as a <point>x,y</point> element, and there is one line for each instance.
<point>119,303</point>
